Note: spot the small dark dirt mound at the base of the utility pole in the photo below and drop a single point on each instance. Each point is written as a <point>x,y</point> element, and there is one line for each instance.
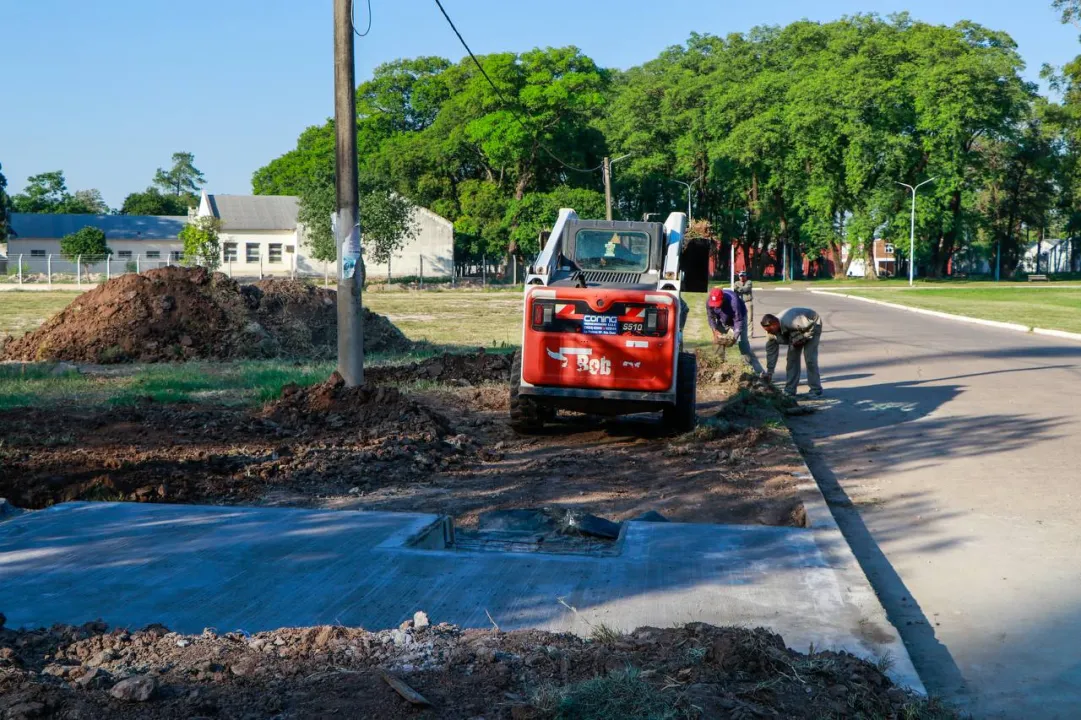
<point>372,411</point>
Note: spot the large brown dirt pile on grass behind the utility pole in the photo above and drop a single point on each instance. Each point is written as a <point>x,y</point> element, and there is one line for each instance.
<point>192,314</point>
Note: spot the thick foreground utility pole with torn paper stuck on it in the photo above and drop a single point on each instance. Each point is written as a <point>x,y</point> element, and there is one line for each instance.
<point>348,225</point>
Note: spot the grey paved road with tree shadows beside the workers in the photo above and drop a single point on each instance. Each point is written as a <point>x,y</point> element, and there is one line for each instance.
<point>951,455</point>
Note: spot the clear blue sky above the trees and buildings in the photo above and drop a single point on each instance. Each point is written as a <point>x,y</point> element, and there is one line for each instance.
<point>108,91</point>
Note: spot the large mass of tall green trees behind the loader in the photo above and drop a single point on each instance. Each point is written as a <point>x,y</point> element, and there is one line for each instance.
<point>796,137</point>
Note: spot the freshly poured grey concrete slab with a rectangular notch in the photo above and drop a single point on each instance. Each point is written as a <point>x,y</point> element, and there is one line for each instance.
<point>257,569</point>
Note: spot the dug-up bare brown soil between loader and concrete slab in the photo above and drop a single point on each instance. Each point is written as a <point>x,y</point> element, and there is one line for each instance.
<point>443,449</point>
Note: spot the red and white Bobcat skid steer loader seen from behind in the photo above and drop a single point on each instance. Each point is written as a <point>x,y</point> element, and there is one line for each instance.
<point>604,323</point>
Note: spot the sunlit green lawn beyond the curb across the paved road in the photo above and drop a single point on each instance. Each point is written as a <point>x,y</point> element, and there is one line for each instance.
<point>1052,310</point>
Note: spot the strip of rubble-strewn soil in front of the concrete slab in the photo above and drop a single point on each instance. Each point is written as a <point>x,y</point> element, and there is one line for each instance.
<point>693,672</point>
